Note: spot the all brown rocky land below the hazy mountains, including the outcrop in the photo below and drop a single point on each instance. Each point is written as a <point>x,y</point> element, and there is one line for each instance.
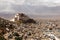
<point>25,28</point>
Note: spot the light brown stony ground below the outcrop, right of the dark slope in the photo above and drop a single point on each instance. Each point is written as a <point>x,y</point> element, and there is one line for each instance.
<point>38,31</point>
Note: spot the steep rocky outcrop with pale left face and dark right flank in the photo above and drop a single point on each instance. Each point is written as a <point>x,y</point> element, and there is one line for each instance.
<point>24,18</point>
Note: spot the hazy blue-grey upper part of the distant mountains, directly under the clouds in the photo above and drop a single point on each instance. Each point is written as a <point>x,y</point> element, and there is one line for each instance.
<point>35,10</point>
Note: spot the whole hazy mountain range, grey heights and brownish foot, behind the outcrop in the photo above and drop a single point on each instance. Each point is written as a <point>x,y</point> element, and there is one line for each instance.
<point>32,11</point>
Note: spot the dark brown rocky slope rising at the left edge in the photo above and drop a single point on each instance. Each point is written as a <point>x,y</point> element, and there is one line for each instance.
<point>5,25</point>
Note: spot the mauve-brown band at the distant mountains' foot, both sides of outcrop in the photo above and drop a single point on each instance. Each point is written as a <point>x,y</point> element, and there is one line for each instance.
<point>9,16</point>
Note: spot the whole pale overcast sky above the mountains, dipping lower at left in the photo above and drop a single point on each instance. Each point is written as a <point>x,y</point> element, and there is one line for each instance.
<point>5,5</point>
